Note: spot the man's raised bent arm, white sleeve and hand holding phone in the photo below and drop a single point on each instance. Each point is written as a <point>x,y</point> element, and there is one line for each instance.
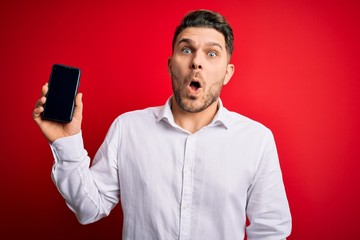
<point>90,193</point>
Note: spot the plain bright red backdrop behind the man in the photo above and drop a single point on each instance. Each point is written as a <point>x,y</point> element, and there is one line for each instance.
<point>297,72</point>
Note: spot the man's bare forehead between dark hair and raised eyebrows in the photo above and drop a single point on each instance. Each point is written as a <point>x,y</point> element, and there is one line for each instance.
<point>201,35</point>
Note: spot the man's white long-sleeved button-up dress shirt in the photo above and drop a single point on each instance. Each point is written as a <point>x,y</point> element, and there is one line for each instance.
<point>174,184</point>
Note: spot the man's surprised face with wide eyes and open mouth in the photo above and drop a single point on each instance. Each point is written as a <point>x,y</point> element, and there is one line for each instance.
<point>199,68</point>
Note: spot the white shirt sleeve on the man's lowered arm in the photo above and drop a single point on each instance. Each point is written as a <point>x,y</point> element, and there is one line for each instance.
<point>267,206</point>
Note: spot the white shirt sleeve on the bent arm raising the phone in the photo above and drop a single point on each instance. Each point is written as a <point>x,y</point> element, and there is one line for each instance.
<point>91,193</point>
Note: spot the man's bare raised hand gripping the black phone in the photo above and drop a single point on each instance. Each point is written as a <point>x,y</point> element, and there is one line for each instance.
<point>54,130</point>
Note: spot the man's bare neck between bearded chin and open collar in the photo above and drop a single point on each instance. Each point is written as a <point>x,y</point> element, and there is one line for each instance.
<point>193,122</point>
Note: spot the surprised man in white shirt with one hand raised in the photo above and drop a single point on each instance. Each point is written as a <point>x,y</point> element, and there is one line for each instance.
<point>190,169</point>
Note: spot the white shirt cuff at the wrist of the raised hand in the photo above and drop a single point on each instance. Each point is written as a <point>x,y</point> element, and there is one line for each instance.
<point>70,149</point>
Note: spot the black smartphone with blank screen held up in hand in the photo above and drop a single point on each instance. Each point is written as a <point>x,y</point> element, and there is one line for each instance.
<point>60,99</point>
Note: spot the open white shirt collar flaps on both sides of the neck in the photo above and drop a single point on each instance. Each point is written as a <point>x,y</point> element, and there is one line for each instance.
<point>220,119</point>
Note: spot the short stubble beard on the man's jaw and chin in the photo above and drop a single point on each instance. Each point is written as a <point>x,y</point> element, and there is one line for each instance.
<point>191,104</point>
